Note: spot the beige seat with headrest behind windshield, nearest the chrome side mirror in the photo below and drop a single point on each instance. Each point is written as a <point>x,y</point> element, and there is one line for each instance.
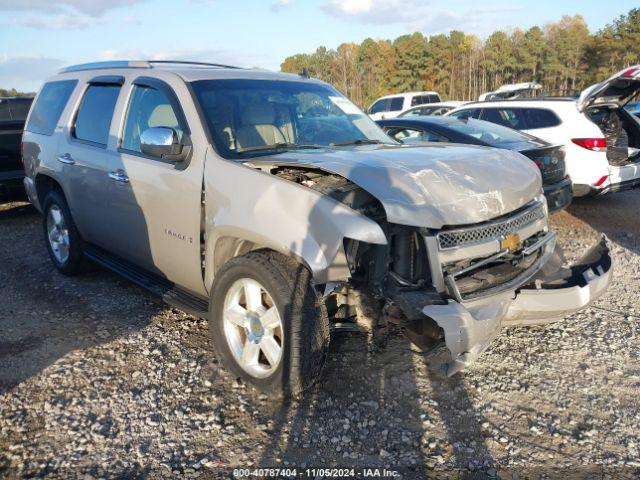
<point>258,127</point>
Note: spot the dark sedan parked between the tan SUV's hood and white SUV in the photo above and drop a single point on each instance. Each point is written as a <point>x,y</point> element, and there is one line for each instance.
<point>549,158</point>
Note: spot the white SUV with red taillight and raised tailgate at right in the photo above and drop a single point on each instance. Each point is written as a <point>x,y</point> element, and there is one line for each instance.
<point>601,138</point>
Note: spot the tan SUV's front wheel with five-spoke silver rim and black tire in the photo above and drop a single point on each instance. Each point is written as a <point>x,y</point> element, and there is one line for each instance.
<point>268,323</point>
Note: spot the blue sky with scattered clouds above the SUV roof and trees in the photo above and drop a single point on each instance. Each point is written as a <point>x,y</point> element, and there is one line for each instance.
<point>39,36</point>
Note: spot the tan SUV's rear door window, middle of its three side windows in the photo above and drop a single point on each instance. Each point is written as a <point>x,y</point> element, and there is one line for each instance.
<point>93,120</point>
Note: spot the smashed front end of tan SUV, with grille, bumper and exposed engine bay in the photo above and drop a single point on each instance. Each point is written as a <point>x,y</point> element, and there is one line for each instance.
<point>453,285</point>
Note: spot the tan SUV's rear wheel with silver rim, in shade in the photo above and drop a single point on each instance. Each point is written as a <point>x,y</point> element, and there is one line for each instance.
<point>61,236</point>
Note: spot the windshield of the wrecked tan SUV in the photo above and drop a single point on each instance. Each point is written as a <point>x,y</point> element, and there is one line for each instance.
<point>258,117</point>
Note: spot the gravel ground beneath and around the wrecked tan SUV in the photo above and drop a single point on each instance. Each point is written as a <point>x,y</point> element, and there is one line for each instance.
<point>100,379</point>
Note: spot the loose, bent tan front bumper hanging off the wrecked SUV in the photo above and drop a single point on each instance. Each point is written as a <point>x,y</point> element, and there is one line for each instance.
<point>470,327</point>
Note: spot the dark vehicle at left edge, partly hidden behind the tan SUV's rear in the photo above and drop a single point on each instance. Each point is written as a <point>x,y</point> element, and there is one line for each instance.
<point>13,112</point>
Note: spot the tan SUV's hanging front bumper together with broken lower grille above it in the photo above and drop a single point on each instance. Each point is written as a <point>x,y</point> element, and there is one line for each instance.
<point>533,287</point>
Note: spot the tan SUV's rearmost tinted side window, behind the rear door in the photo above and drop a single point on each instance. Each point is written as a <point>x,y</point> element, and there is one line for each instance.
<point>49,106</point>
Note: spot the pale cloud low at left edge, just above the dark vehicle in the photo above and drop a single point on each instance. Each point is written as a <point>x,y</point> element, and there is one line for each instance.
<point>26,73</point>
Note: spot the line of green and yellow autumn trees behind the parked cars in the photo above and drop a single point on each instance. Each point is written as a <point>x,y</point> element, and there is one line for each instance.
<point>564,56</point>
